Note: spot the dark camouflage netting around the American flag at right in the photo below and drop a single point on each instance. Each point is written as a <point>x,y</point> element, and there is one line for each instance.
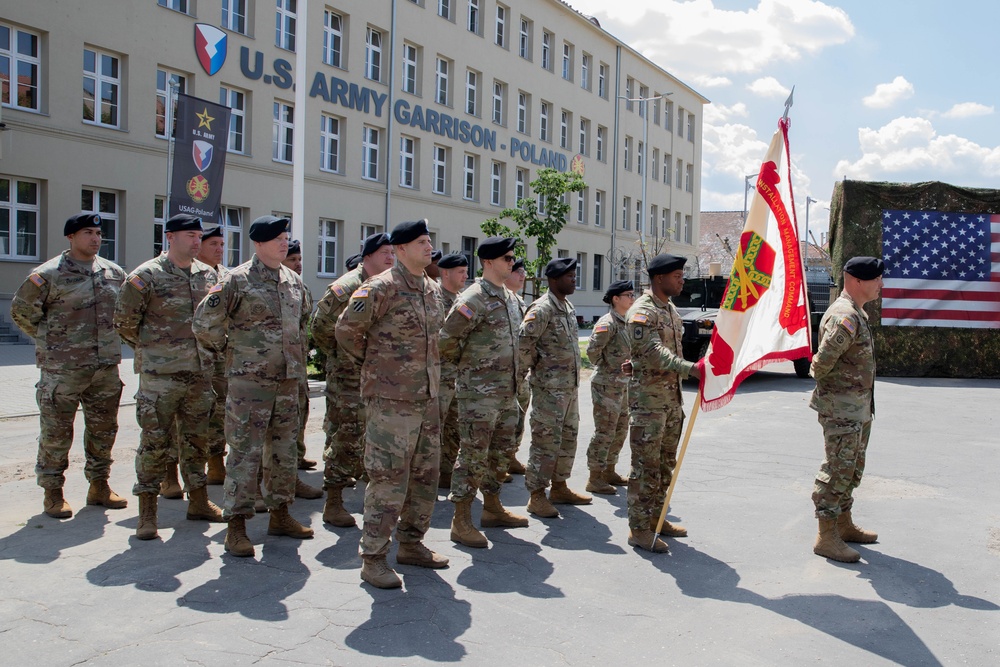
<point>856,229</point>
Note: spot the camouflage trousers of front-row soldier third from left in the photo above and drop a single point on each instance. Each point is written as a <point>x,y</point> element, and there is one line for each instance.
<point>262,423</point>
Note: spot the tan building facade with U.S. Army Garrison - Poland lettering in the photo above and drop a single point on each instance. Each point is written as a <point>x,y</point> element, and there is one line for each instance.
<point>438,109</point>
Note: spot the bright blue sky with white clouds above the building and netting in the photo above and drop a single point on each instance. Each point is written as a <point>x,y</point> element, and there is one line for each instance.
<point>885,90</point>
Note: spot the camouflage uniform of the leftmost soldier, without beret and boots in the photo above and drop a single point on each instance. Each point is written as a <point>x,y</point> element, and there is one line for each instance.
<point>67,307</point>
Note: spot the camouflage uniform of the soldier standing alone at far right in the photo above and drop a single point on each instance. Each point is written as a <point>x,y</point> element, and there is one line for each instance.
<point>844,368</point>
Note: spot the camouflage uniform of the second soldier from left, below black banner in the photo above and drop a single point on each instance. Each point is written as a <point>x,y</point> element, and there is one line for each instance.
<point>174,402</point>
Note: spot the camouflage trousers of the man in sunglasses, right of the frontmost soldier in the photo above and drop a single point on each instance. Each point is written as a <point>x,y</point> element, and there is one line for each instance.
<point>486,425</point>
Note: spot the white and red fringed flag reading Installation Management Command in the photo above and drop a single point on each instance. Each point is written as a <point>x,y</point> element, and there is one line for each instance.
<point>763,317</point>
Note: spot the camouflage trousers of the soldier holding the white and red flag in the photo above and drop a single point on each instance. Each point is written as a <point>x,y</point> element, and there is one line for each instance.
<point>653,440</point>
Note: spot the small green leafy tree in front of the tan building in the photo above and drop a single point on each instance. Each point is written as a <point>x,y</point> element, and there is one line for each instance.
<point>551,187</point>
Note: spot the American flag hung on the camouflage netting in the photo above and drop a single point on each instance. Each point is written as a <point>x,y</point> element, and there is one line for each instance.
<point>942,269</point>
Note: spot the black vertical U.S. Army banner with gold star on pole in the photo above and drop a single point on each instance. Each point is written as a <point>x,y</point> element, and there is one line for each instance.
<point>201,134</point>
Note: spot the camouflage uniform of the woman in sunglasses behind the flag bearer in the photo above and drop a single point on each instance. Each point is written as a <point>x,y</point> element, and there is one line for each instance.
<point>608,349</point>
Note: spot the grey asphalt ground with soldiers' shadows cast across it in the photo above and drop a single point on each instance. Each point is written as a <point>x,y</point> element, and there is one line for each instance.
<point>744,589</point>
